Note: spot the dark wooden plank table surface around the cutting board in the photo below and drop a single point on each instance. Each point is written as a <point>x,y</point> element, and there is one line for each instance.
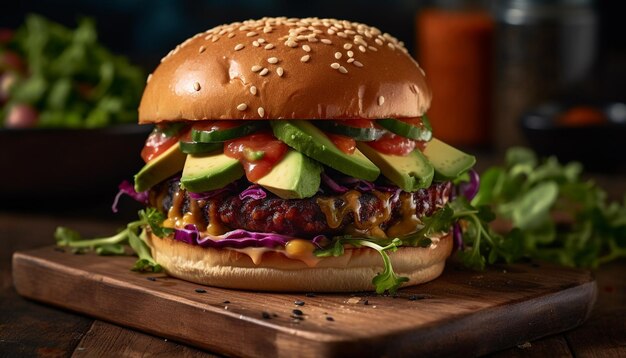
<point>28,328</point>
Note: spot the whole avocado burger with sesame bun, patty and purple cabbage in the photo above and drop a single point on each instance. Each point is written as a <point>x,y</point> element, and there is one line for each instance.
<point>296,155</point>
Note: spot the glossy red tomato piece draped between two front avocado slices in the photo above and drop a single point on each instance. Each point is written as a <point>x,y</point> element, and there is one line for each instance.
<point>258,153</point>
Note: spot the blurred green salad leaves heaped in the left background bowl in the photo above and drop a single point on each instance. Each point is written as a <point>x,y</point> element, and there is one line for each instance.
<point>71,79</point>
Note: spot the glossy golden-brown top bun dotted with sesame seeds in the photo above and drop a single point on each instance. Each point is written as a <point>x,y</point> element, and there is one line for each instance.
<point>277,68</point>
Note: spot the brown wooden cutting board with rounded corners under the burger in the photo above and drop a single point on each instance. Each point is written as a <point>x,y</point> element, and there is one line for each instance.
<point>461,313</point>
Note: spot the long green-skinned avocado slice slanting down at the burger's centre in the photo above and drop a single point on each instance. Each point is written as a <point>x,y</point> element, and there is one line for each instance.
<point>312,142</point>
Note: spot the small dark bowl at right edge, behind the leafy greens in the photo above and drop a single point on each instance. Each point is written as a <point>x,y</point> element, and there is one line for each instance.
<point>600,147</point>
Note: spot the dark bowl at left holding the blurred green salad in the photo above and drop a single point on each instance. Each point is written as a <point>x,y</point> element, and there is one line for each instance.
<point>61,167</point>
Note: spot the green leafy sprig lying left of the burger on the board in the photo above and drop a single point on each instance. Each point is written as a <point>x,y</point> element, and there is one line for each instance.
<point>134,235</point>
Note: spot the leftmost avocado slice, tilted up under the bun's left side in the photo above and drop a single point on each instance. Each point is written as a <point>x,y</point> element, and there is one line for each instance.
<point>160,168</point>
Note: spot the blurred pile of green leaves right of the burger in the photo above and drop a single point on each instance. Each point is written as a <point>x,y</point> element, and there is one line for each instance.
<point>554,215</point>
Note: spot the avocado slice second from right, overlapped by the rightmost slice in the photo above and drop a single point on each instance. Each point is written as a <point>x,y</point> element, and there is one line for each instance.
<point>410,172</point>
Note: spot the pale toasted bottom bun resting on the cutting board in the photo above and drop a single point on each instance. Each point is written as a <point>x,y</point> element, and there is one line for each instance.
<point>350,272</point>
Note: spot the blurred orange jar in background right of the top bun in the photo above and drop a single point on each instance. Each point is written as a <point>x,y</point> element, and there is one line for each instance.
<point>455,50</point>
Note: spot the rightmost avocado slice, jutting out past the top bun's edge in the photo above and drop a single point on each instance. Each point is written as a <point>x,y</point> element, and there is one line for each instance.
<point>448,161</point>
